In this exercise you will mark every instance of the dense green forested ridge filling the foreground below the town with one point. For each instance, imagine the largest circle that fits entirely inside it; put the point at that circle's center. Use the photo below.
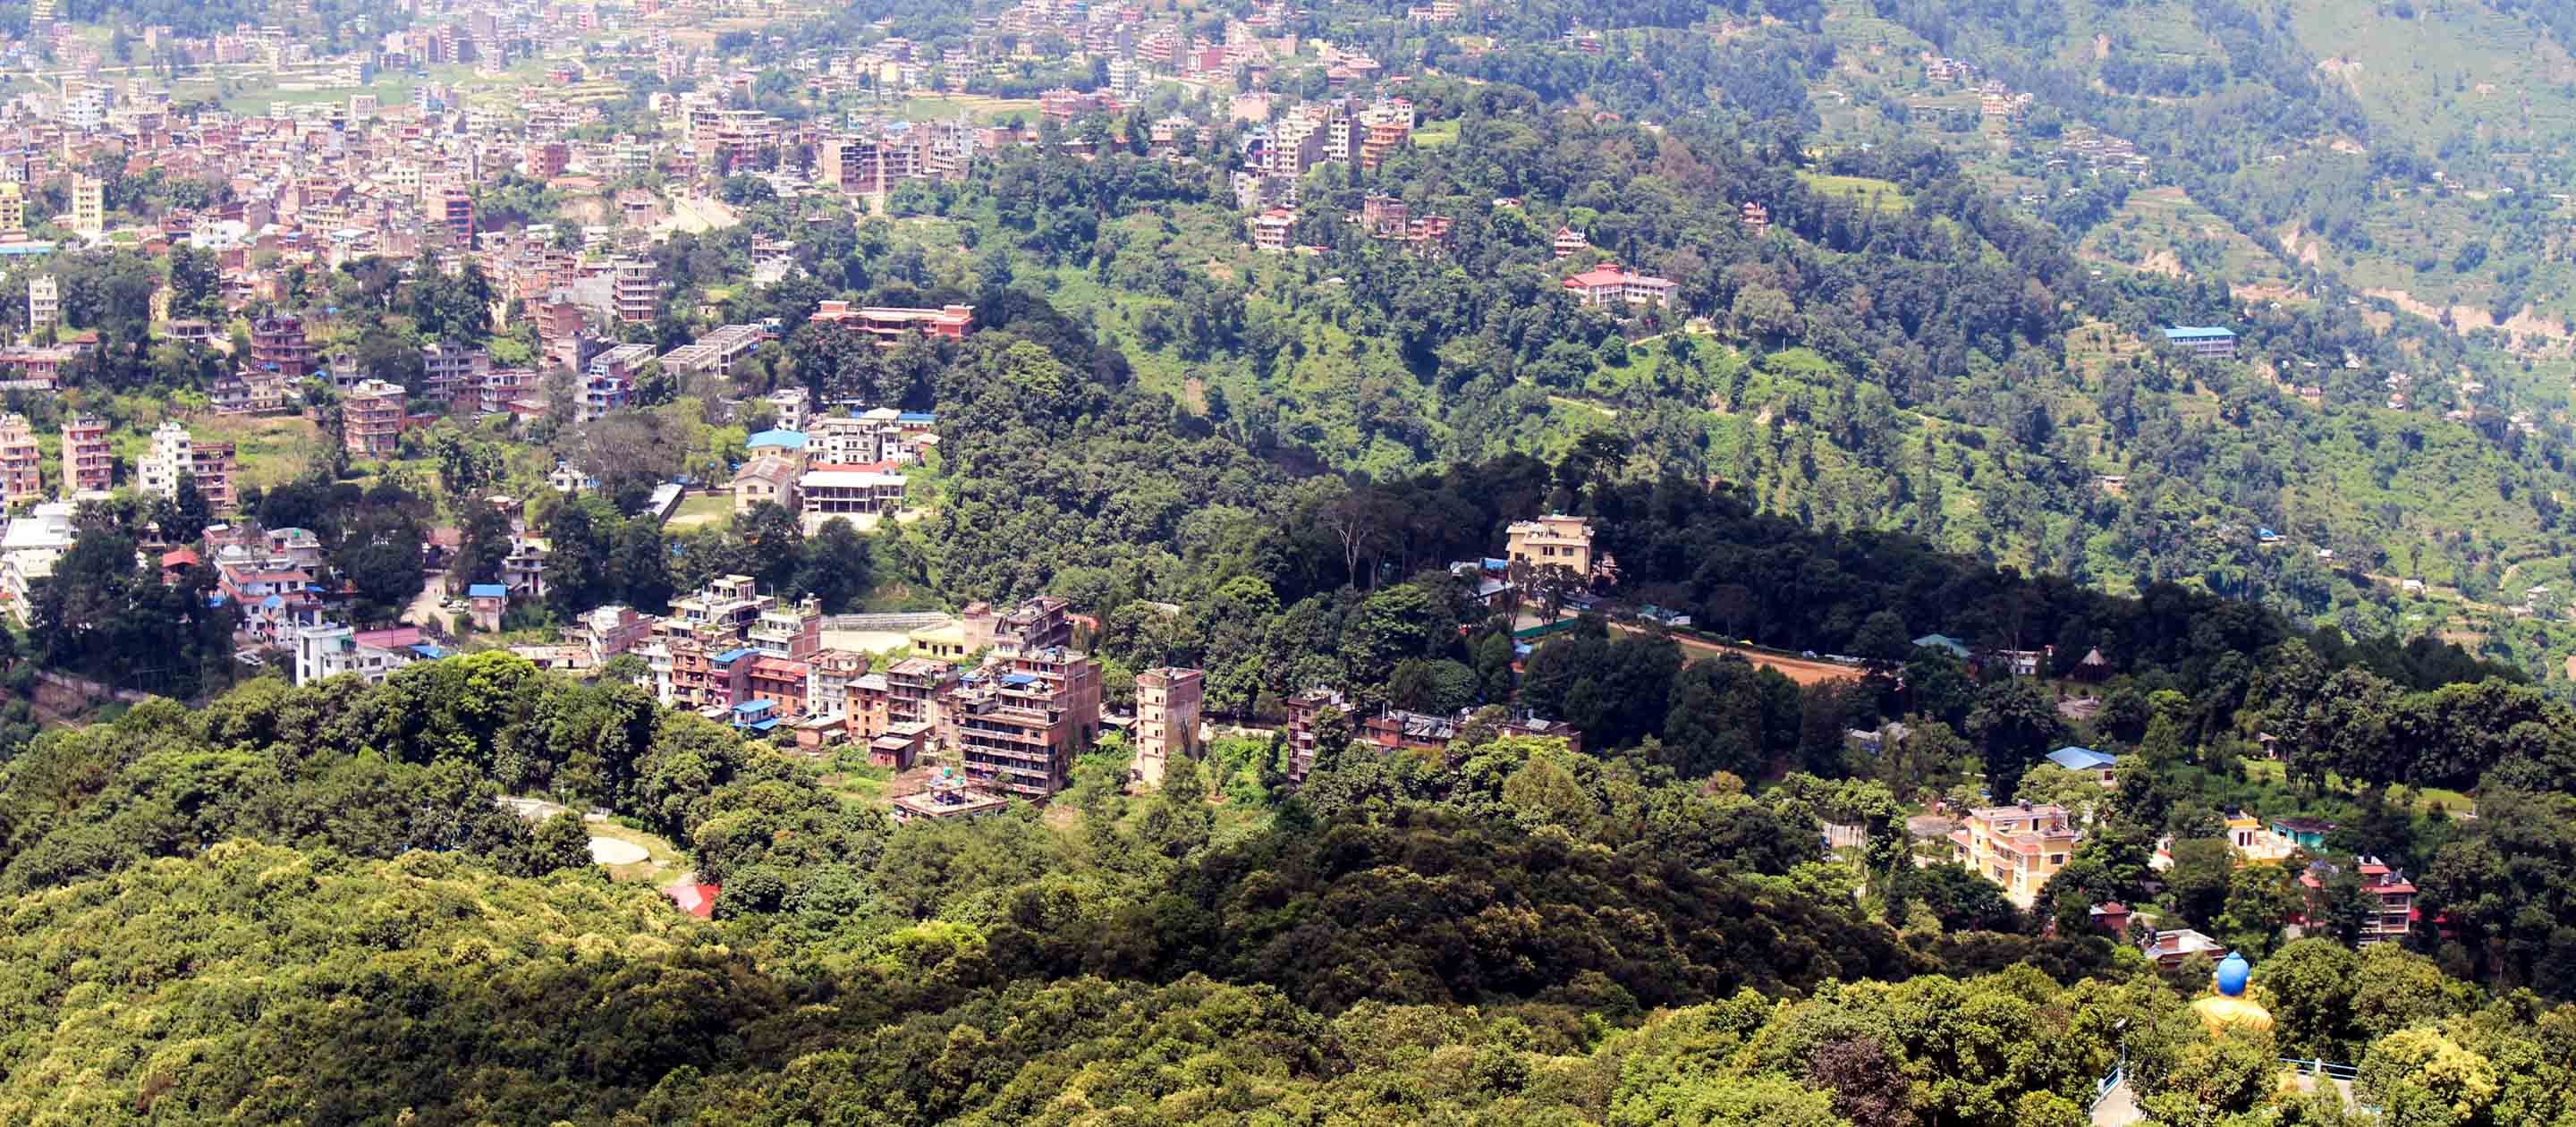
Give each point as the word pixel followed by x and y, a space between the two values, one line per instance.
pixel 1503 935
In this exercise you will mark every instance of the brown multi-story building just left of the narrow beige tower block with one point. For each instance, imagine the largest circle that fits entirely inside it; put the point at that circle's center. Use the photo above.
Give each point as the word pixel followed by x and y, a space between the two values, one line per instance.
pixel 1024 717
